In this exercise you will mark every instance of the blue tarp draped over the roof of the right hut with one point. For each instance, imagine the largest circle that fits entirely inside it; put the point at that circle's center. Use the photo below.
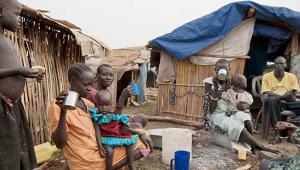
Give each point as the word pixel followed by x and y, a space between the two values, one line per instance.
pixel 205 31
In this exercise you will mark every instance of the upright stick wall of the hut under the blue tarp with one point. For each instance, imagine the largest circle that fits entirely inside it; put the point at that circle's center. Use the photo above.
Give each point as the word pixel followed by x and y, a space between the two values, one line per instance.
pixel 189 88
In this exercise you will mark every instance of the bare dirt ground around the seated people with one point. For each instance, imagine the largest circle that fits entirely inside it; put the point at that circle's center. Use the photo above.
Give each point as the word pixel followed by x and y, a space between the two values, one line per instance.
pixel 206 156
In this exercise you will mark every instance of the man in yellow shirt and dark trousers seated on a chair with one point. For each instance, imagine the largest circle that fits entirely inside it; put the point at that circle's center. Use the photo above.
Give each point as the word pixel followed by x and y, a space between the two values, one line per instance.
pixel 281 90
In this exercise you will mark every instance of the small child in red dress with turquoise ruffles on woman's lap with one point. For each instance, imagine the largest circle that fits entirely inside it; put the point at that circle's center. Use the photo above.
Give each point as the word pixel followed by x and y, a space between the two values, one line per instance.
pixel 112 129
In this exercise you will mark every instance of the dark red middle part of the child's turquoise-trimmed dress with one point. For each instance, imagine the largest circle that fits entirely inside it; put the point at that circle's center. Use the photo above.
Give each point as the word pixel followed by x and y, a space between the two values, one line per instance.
pixel 114 129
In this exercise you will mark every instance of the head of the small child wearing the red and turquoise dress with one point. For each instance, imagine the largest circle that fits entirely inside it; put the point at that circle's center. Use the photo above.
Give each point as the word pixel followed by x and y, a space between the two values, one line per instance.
pixel 103 101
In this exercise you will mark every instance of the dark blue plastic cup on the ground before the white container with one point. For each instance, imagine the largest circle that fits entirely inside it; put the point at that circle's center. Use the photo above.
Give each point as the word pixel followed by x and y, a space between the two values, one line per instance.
pixel 182 160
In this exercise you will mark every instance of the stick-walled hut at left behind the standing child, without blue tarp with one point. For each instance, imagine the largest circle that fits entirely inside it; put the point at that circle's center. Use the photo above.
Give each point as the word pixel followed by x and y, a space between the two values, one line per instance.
pixel 54 44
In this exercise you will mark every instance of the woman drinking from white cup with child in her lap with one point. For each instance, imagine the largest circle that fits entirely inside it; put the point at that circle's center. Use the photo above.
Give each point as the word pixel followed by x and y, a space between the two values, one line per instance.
pixel 226 106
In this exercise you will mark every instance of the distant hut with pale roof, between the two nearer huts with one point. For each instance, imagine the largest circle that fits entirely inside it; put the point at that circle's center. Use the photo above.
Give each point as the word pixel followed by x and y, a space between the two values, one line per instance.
pixel 129 65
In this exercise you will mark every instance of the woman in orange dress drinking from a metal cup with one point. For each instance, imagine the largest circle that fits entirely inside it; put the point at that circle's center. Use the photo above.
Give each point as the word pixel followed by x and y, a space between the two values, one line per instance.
pixel 74 132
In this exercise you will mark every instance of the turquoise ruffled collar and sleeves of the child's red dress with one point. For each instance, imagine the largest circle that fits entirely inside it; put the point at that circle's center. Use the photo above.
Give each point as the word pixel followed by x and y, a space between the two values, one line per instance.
pixel 100 118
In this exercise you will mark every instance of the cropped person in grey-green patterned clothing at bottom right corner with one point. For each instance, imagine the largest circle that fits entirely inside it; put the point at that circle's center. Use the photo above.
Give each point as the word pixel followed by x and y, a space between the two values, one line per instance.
pixel 285 163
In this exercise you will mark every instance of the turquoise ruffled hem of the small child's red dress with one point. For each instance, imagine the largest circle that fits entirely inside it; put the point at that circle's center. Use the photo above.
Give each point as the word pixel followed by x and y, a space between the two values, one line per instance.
pixel 111 141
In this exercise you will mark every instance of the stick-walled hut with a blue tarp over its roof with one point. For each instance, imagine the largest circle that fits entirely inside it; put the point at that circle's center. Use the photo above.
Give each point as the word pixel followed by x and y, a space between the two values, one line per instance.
pixel 245 33
